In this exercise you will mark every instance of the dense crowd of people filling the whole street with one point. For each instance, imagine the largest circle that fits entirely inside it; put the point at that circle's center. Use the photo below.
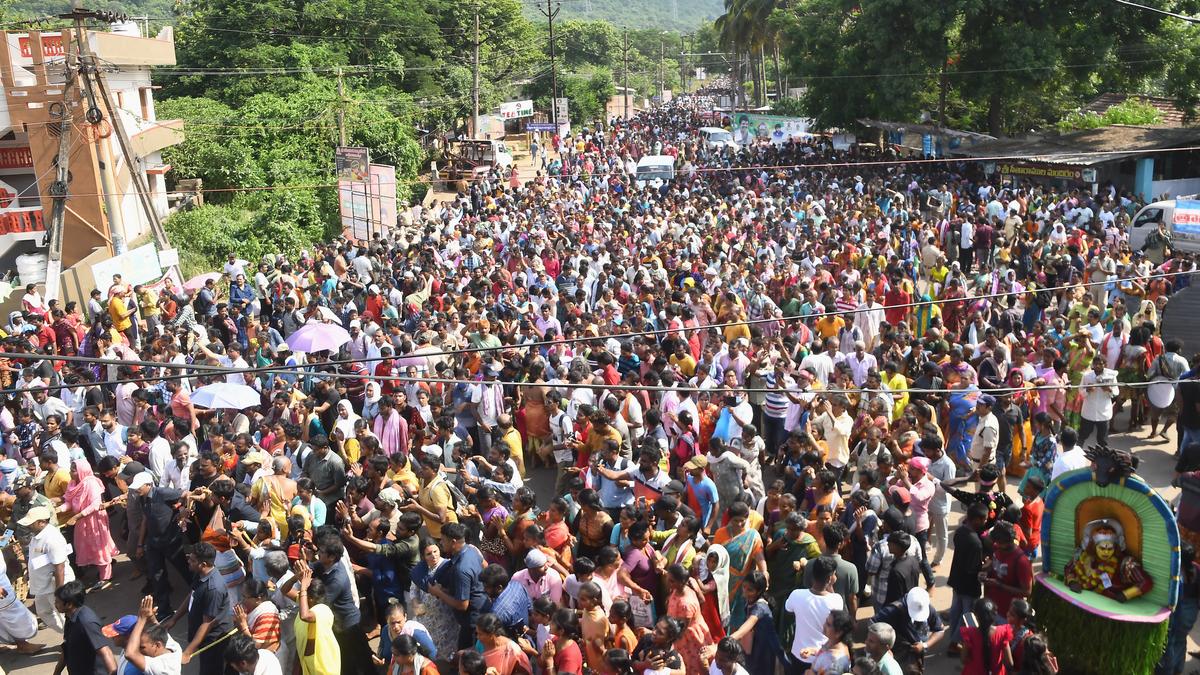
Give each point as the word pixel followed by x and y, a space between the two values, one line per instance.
pixel 761 390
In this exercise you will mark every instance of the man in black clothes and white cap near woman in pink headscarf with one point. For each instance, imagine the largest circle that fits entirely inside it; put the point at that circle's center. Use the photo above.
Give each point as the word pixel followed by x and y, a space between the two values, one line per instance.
pixel 160 540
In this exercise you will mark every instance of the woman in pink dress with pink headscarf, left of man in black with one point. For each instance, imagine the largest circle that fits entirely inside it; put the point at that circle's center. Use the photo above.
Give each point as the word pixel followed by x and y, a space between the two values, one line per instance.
pixel 93 541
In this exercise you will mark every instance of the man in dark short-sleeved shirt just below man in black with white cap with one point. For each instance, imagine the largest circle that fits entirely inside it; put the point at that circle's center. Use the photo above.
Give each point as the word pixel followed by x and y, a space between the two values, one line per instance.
pixel 209 616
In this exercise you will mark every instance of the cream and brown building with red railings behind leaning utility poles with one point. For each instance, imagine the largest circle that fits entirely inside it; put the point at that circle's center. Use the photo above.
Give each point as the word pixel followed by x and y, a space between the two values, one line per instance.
pixel 32 73
